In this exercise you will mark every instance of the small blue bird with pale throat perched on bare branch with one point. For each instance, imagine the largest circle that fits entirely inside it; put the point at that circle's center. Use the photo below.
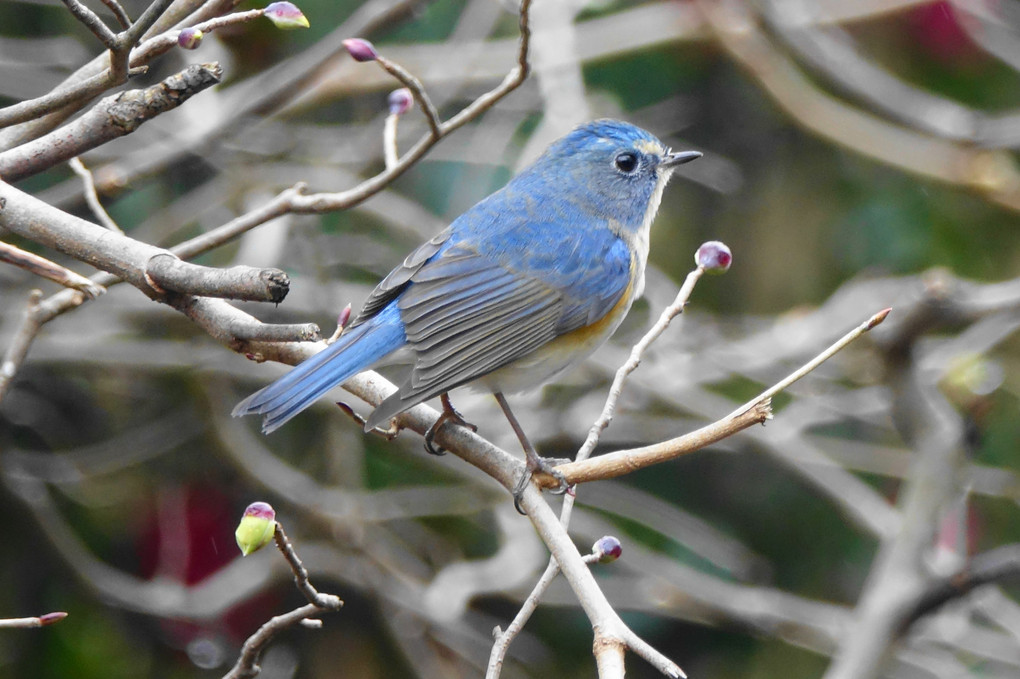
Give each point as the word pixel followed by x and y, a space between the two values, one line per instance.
pixel 524 286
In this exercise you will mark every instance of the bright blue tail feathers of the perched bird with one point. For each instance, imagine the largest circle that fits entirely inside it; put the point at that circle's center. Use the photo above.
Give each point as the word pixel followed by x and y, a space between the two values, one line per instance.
pixel 352 353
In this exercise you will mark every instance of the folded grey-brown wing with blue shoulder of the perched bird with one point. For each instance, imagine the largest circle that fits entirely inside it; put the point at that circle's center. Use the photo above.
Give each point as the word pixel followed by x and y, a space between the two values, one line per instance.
pixel 480 304
